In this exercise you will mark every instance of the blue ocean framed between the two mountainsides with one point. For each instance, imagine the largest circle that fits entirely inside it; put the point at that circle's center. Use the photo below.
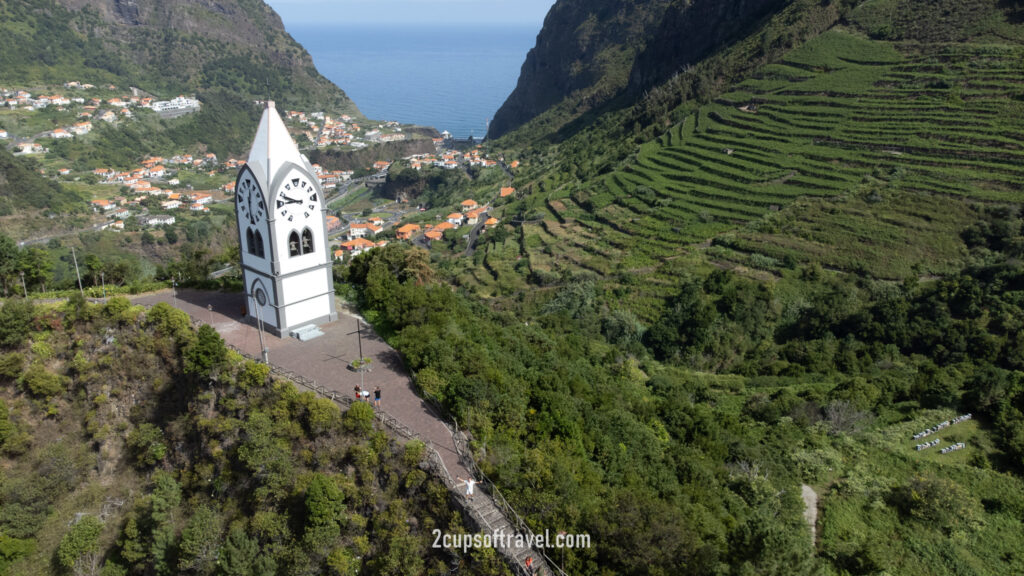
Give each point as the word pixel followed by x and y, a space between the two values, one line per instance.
pixel 451 78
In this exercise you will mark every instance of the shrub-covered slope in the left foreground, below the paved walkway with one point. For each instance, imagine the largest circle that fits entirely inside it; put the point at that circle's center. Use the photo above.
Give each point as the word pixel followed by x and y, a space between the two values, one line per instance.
pixel 264 479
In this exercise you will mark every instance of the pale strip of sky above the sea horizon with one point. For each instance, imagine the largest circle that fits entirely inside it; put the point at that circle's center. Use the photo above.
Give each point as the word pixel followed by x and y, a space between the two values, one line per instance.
pixel 518 13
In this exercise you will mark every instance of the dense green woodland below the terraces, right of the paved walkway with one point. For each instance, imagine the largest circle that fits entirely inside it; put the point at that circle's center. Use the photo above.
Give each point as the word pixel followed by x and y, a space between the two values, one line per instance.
pixel 739 394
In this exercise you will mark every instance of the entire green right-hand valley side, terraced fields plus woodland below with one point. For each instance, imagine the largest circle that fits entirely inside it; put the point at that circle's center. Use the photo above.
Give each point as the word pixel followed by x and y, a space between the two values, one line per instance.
pixel 772 271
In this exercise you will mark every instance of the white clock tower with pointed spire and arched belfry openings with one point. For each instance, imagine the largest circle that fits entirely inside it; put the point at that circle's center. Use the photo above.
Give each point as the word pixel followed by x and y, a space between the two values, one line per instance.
pixel 286 265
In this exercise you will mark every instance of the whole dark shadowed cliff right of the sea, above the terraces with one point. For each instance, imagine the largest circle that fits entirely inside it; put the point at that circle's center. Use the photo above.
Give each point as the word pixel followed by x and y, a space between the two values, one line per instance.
pixel 589 54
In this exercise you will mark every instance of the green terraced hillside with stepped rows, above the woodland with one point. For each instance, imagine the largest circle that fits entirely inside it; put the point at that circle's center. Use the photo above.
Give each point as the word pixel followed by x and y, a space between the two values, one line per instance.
pixel 863 155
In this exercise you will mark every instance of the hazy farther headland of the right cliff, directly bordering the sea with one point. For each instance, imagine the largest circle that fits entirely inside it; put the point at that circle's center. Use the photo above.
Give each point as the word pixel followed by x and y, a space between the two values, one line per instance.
pixel 585 51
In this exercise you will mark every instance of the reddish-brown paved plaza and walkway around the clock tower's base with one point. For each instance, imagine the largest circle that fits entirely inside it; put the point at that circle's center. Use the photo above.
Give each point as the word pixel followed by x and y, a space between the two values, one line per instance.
pixel 325 360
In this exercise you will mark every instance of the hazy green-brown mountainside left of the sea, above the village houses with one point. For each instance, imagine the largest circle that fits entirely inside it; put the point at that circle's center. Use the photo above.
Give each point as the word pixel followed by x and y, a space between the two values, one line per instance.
pixel 162 47
